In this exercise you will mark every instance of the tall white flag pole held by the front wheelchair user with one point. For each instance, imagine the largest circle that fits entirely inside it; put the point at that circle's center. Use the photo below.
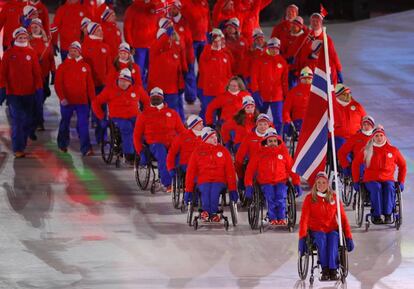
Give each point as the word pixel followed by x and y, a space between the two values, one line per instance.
pixel 331 122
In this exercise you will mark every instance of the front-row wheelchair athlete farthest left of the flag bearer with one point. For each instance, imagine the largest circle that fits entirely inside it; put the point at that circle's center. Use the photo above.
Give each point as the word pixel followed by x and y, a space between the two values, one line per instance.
pixel 211 167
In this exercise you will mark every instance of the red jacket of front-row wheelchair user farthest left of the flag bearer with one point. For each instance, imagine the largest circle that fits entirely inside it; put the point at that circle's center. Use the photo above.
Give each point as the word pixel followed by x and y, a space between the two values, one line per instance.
pixel 210 164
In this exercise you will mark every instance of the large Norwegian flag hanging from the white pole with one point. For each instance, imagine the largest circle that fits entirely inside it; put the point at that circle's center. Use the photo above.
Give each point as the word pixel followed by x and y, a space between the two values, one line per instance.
pixel 310 157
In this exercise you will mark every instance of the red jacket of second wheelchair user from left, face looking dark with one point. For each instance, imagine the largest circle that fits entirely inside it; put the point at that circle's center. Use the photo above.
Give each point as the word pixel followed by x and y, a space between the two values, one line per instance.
pixel 157 126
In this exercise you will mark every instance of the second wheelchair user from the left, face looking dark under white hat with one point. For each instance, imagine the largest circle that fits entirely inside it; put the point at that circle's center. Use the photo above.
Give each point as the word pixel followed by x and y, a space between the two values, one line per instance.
pixel 156 127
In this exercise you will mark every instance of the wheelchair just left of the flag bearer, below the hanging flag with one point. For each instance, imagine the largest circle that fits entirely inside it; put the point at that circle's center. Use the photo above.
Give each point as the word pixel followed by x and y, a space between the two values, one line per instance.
pixel 258 204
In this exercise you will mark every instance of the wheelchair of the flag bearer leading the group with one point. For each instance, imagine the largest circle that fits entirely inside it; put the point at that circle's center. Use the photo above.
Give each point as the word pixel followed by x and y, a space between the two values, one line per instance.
pixel 312 254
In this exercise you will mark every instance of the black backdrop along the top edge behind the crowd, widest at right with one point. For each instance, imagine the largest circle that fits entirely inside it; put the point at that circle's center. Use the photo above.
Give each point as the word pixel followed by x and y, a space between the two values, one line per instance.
pixel 337 9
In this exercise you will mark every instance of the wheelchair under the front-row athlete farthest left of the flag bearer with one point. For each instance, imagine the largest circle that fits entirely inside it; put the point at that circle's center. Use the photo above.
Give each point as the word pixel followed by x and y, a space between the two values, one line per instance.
pixel 196 220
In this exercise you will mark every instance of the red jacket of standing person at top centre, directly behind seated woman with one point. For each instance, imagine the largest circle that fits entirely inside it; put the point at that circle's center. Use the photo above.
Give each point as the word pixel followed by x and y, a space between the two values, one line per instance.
pixel 214 71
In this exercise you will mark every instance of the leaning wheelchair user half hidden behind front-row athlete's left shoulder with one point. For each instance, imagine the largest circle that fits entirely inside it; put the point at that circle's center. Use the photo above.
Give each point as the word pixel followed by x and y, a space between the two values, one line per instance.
pixel 179 155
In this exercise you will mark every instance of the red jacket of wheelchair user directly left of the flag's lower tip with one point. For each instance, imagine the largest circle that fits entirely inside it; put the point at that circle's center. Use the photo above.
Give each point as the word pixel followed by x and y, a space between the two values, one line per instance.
pixel 270 165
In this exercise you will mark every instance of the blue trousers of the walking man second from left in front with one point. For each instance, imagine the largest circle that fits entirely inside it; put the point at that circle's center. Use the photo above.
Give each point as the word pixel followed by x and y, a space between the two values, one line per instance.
pixel 82 127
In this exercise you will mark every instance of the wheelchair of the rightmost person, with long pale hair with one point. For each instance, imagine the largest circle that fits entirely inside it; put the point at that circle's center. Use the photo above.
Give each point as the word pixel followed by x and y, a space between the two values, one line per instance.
pixel 363 200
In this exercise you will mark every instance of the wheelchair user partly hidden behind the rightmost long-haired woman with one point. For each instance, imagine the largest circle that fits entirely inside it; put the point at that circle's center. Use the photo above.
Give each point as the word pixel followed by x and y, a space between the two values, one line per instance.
pixel 354 145
